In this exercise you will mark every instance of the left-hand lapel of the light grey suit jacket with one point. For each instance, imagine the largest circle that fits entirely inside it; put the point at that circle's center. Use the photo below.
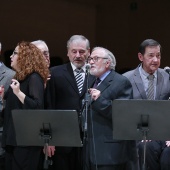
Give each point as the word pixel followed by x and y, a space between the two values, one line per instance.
pixel 139 84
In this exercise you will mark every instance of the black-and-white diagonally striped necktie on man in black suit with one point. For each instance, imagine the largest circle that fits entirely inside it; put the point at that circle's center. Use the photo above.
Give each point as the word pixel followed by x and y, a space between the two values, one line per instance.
pixel 79 79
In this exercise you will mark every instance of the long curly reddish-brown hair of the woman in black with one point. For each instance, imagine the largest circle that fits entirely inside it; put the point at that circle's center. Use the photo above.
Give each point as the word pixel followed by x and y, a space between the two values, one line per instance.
pixel 30 59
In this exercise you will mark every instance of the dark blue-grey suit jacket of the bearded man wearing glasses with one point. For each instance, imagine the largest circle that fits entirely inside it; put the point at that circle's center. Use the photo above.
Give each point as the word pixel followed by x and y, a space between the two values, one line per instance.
pixel 107 150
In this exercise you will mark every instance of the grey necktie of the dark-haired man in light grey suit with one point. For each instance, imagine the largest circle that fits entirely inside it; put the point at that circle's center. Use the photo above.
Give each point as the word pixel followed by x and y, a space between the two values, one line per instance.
pixel 150 91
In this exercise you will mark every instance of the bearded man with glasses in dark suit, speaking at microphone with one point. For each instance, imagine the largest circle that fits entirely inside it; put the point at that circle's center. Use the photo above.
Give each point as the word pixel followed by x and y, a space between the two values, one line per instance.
pixel 103 152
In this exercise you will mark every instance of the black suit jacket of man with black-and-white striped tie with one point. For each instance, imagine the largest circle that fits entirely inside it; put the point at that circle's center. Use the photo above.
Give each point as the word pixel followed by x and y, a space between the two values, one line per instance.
pixel 62 91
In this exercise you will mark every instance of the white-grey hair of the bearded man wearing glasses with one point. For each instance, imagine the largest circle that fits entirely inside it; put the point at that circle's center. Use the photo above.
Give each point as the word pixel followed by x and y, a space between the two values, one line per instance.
pixel 108 55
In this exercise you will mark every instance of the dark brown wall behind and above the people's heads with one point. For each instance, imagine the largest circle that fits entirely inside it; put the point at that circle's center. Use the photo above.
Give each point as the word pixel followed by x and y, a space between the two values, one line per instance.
pixel 119 25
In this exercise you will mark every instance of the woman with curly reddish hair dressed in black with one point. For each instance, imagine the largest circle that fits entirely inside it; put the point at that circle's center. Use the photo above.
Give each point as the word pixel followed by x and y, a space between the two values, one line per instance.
pixel 26 92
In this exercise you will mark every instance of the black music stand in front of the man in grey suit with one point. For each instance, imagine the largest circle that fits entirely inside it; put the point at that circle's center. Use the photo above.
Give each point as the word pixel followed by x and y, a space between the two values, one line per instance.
pixel 141 120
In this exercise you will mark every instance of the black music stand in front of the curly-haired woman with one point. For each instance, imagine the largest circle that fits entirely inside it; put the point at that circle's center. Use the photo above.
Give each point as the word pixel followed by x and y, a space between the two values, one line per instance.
pixel 47 127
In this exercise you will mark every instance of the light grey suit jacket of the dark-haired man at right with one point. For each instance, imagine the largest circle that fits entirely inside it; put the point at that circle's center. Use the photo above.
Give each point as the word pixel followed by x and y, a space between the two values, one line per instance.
pixel 162 87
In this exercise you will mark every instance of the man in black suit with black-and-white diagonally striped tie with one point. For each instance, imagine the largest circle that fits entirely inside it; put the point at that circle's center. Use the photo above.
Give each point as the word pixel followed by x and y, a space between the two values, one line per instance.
pixel 64 93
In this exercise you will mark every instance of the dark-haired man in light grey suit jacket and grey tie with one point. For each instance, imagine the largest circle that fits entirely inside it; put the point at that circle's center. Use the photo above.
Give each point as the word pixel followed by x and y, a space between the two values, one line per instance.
pixel 150 56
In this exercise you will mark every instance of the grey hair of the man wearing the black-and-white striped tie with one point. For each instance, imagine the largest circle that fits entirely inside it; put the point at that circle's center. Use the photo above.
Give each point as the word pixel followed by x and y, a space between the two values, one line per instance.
pixel 78 38
